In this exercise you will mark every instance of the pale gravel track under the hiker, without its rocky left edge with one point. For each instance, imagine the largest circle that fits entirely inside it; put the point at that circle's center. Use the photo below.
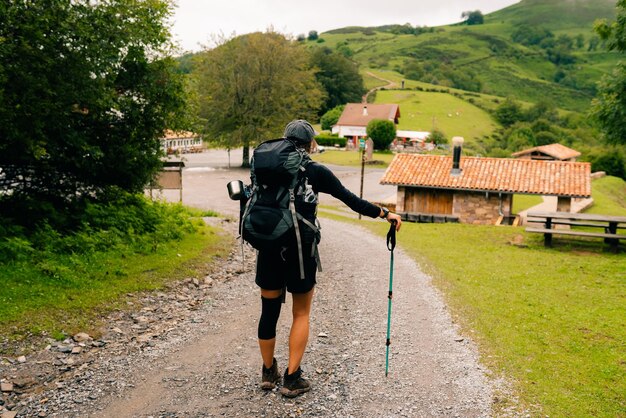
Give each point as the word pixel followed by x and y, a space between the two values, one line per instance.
pixel 433 372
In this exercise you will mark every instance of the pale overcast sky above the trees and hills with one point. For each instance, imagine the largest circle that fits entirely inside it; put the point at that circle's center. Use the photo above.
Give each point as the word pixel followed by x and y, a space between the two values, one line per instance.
pixel 197 21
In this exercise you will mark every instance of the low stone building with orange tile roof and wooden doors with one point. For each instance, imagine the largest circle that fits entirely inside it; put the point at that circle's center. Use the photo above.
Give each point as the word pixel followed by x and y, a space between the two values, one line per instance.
pixel 479 190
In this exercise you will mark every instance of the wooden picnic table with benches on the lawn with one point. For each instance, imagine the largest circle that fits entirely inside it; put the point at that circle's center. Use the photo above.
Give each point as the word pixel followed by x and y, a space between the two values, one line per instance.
pixel 609 224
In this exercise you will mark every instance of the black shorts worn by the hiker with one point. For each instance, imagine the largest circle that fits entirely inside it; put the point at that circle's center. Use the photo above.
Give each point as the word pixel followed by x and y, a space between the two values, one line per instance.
pixel 275 270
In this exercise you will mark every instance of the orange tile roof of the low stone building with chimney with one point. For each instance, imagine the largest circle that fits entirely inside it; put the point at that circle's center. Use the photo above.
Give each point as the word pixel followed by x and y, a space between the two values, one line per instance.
pixel 506 175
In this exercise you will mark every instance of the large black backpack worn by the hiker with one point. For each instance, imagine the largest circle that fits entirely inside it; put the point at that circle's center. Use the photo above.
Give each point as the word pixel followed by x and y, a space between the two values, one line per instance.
pixel 281 208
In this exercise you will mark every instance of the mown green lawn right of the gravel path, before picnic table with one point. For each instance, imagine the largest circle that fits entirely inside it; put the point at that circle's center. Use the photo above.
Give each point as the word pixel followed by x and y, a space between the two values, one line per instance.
pixel 549 320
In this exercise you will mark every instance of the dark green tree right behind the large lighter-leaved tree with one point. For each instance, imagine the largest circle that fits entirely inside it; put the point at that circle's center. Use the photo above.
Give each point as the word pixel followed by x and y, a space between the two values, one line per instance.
pixel 338 76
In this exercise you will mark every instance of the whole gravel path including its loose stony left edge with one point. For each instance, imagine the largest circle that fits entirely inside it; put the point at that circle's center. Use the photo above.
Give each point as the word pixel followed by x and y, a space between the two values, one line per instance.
pixel 191 351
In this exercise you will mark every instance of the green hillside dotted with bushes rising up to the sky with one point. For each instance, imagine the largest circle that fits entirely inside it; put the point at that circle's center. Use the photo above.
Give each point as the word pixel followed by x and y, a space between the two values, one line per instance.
pixel 498 57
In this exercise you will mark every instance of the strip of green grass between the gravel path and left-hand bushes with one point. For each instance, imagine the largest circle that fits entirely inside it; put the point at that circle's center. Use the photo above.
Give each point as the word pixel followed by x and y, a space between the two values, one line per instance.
pixel 77 289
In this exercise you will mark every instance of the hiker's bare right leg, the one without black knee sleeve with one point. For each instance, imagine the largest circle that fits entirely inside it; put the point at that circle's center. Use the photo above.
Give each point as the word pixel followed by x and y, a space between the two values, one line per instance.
pixel 299 335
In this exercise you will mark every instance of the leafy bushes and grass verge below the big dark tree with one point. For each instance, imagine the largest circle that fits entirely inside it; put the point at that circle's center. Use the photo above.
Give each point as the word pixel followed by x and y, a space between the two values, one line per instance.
pixel 60 283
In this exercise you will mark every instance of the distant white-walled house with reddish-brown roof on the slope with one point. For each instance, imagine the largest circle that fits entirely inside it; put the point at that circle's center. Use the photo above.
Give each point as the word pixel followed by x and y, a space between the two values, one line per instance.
pixel 352 123
